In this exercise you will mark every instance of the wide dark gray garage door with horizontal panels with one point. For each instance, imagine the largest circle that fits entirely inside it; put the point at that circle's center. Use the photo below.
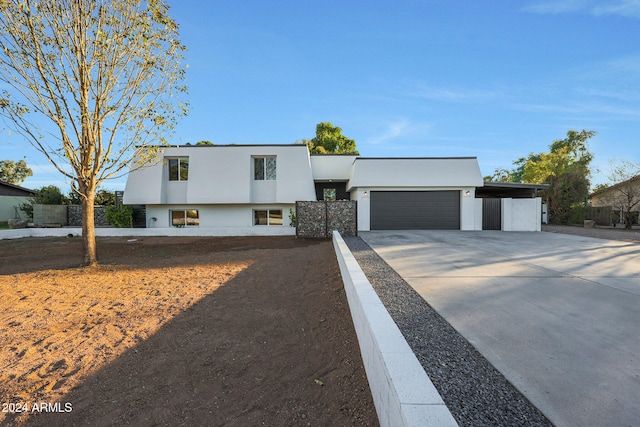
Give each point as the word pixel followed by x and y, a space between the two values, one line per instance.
pixel 415 210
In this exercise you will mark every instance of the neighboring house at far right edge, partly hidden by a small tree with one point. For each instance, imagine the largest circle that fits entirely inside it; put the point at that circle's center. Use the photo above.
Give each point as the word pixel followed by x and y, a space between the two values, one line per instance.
pixel 622 198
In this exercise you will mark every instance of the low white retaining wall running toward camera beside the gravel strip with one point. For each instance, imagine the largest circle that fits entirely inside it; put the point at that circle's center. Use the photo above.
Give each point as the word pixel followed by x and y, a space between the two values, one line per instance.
pixel 402 392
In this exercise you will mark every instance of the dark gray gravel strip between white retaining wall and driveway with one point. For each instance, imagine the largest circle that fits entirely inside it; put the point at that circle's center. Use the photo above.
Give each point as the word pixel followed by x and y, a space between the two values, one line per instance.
pixel 473 390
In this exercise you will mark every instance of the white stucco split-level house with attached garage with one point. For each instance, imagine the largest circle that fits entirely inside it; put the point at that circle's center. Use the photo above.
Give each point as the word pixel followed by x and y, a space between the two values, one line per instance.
pixel 251 189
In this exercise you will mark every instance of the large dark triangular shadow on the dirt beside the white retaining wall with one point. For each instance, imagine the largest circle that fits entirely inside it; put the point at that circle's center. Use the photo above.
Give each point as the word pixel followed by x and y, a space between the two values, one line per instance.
pixel 275 345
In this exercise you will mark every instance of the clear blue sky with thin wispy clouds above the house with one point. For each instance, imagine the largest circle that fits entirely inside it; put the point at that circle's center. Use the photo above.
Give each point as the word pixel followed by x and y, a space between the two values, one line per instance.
pixel 492 79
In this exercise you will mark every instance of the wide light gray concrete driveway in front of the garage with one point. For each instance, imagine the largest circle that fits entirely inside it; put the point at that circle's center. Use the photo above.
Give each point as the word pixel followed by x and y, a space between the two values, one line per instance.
pixel 558 315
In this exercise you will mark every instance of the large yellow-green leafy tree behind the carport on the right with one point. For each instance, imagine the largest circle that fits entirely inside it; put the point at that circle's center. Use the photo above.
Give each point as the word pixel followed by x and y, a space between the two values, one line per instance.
pixel 565 168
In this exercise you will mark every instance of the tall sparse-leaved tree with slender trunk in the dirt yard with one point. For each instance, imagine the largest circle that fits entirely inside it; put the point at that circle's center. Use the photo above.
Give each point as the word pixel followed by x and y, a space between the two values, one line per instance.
pixel 87 81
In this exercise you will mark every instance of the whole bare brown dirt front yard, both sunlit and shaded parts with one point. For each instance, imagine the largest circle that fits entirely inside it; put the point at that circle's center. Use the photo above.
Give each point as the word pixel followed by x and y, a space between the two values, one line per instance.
pixel 178 331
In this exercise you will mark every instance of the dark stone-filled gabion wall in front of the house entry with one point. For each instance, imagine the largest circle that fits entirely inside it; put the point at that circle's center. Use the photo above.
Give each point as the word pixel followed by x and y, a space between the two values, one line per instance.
pixel 319 219
